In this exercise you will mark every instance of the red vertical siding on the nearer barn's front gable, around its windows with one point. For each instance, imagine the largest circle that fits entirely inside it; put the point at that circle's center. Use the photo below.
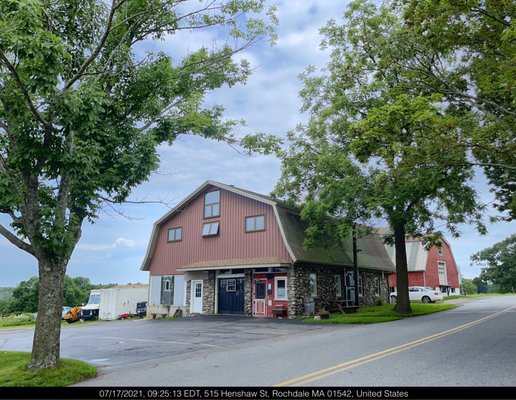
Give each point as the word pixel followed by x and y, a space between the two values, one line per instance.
pixel 232 243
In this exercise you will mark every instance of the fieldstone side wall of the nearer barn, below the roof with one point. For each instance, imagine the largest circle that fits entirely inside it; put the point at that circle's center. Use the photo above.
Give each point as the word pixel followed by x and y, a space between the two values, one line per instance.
pixel 299 287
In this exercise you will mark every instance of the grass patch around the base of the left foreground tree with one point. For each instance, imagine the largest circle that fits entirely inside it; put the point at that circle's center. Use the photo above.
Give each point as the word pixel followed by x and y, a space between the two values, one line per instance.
pixel 13 371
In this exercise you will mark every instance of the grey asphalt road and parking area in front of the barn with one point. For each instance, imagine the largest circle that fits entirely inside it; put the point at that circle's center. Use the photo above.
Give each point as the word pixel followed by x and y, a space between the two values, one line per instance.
pixel 472 345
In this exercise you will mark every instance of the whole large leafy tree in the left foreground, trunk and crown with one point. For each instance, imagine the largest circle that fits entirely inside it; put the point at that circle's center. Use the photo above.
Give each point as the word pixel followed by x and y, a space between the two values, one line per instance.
pixel 84 102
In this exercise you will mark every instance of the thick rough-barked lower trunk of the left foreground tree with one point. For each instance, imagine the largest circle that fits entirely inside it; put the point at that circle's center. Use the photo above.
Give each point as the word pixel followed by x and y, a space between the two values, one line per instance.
pixel 47 334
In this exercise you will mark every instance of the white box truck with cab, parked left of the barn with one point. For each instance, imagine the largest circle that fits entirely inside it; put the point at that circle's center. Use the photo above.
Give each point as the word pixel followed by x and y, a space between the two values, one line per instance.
pixel 112 303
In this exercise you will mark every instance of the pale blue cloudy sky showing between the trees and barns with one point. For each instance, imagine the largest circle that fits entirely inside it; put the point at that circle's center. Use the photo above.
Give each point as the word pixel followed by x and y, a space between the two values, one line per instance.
pixel 111 250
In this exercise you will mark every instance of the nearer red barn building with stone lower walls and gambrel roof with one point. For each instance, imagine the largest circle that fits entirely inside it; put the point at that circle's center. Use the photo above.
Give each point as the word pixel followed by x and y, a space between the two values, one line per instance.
pixel 225 250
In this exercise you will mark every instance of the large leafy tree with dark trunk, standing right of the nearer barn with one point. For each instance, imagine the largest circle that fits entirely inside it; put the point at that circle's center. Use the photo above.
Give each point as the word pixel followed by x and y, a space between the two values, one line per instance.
pixel 376 144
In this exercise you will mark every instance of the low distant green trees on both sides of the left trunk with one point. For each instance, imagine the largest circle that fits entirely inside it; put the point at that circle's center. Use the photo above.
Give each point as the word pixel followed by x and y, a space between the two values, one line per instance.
pixel 24 297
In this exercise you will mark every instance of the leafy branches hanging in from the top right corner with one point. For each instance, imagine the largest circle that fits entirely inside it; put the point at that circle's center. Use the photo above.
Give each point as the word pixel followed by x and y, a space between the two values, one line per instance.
pixel 466 52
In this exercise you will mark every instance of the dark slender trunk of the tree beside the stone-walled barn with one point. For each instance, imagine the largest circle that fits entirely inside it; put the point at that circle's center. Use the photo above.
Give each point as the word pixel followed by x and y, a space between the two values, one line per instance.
pixel 402 299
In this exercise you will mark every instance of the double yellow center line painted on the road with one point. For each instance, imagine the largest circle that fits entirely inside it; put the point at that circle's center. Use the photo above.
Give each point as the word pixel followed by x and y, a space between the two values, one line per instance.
pixel 323 373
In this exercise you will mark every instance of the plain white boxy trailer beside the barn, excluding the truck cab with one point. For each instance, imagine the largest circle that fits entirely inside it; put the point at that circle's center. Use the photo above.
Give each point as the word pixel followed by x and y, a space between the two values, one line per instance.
pixel 121 299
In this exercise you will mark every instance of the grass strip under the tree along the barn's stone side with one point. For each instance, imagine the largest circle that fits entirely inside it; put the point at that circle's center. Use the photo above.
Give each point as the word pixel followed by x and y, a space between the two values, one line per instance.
pixel 384 313
